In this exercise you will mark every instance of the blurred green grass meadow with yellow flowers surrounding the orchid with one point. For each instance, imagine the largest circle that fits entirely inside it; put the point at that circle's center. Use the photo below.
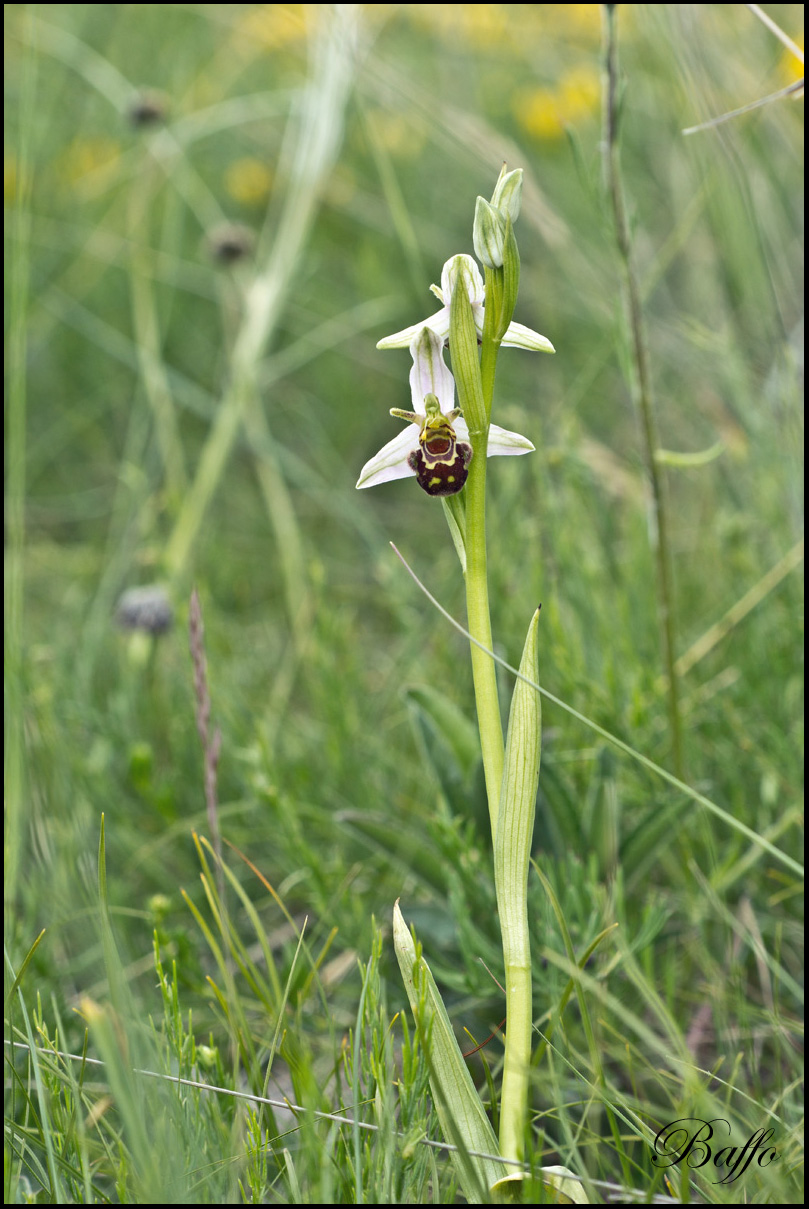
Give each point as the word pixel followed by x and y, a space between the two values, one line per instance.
pixel 213 213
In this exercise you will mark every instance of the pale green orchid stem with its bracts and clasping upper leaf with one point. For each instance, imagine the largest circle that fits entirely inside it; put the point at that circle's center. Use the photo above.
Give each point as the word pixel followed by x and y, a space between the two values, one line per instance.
pixel 511 770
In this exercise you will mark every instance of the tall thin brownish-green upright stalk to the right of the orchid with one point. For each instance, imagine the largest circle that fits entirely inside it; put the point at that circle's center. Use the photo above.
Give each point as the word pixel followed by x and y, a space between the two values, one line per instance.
pixel 643 389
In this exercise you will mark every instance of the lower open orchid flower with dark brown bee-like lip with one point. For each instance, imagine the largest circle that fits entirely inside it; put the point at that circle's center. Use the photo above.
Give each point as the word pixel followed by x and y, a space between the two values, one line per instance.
pixel 437 448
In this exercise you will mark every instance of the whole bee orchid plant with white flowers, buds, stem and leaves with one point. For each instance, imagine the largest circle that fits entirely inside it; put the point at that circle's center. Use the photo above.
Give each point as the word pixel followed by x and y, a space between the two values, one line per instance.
pixel 446 448
